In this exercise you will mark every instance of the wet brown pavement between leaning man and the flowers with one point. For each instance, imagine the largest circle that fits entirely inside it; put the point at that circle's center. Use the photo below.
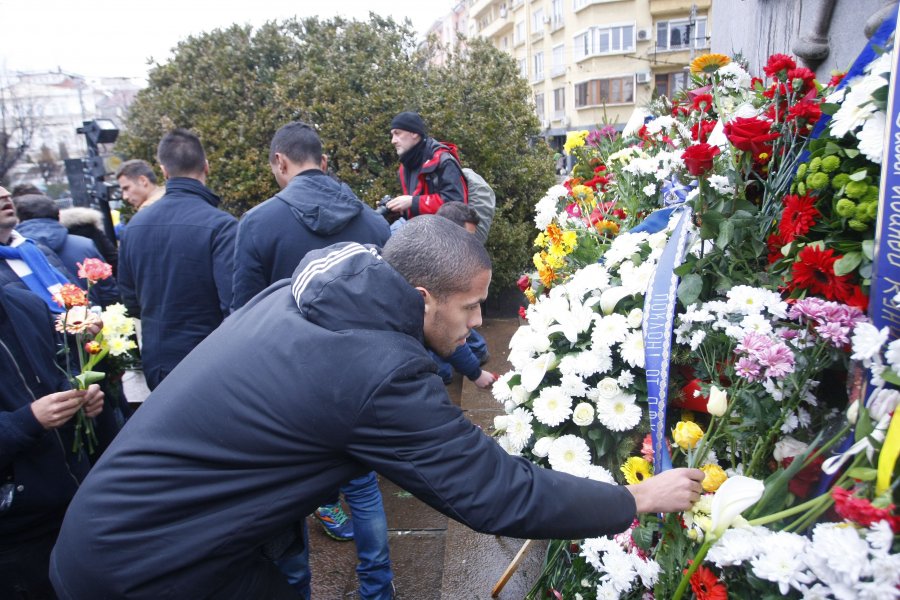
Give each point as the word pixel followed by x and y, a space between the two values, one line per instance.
pixel 434 557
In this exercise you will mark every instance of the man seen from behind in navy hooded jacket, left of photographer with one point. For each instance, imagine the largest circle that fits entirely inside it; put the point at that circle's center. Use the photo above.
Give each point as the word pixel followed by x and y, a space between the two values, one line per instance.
pixel 311 211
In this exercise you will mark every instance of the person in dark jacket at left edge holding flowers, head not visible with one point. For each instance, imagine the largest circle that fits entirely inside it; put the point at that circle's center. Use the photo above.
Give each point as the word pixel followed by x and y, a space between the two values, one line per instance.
pixel 39 473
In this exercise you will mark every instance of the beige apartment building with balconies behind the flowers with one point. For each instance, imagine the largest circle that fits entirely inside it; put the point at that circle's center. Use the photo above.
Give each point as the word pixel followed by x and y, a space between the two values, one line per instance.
pixel 591 62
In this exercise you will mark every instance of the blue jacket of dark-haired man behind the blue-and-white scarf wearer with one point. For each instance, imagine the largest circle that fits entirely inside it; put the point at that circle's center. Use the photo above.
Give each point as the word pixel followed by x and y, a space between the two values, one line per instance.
pixel 71 249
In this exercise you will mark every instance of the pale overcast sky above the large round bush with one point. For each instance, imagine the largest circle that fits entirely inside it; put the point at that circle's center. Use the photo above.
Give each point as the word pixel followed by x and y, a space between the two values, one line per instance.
pixel 115 38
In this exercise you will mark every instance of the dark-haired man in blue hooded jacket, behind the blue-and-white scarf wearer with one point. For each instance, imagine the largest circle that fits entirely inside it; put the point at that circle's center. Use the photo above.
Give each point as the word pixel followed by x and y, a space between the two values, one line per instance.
pixel 39 221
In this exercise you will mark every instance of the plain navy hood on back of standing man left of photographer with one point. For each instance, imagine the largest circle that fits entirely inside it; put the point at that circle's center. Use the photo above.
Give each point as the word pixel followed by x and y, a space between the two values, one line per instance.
pixel 321 203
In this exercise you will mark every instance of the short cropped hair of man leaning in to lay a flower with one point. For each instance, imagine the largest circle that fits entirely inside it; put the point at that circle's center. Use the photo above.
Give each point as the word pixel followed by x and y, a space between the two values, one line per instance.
pixel 434 253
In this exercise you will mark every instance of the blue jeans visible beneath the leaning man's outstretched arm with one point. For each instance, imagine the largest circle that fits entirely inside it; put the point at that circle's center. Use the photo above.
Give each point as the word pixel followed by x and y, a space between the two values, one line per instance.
pixel 370 535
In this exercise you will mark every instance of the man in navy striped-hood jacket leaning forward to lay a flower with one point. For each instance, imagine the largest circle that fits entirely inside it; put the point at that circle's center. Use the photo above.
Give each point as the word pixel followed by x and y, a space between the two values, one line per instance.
pixel 318 380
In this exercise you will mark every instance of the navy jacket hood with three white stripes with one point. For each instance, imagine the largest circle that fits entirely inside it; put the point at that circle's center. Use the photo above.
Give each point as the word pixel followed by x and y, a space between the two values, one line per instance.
pixel 350 286
